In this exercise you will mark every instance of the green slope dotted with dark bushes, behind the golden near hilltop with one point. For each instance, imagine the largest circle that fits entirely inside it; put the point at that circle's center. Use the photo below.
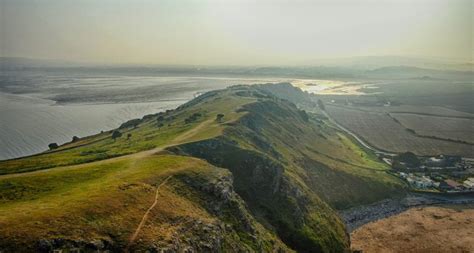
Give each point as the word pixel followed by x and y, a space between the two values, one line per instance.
pixel 148 135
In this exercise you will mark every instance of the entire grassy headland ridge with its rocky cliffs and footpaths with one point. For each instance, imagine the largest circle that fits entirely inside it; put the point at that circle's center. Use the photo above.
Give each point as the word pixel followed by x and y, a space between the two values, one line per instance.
pixel 233 170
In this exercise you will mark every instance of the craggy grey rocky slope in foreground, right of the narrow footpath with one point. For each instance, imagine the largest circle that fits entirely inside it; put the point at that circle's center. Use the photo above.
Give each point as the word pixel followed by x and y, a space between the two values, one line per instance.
pixel 234 229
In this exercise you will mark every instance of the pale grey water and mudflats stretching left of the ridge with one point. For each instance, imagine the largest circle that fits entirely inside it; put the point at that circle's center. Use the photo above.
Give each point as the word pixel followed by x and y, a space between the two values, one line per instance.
pixel 38 108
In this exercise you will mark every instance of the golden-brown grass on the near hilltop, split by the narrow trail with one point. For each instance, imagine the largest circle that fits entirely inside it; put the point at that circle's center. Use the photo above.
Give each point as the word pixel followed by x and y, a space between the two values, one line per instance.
pixel 96 201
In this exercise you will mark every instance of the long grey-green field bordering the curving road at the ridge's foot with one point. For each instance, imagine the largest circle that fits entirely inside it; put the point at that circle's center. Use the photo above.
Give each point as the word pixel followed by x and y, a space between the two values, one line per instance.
pixel 383 132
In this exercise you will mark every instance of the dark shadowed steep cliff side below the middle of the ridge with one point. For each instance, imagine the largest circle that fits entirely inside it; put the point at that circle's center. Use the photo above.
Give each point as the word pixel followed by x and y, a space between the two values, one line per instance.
pixel 280 203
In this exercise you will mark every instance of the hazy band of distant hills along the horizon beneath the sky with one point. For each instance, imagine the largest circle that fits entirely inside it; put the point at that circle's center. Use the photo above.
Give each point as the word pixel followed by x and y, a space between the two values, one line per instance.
pixel 363 67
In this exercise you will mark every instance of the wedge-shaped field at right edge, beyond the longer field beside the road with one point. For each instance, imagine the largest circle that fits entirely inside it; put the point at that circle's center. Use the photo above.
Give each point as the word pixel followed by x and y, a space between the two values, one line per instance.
pixel 460 129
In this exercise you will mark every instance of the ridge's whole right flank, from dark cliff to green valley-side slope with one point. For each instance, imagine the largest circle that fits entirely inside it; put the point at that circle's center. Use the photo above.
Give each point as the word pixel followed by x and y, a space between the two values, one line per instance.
pixel 284 165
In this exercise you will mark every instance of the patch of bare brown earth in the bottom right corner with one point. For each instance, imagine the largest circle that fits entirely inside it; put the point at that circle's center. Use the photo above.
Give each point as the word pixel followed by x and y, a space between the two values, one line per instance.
pixel 423 229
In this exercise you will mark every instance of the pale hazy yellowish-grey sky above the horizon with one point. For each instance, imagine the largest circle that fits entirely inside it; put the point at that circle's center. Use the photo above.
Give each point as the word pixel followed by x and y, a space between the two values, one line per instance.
pixel 234 32
